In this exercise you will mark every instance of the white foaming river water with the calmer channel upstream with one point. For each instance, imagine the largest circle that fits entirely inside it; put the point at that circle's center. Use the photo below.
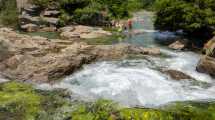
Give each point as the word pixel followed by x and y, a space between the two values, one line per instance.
pixel 139 81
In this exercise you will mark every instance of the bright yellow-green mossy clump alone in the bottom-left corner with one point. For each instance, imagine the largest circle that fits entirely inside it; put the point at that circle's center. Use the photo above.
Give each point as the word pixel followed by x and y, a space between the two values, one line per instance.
pixel 19 99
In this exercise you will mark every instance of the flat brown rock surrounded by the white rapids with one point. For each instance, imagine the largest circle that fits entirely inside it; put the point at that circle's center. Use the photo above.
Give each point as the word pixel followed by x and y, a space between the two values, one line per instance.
pixel 177 75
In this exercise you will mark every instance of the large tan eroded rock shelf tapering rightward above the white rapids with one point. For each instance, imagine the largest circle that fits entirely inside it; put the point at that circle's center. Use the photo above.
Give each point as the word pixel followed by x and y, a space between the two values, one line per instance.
pixel 40 60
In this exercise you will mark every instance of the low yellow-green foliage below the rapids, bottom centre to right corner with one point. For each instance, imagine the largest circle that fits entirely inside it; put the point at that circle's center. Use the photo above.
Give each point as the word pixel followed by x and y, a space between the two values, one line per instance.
pixel 106 110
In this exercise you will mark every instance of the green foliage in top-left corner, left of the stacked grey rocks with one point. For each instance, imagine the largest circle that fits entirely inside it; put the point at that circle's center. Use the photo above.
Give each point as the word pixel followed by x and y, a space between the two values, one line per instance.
pixel 8 13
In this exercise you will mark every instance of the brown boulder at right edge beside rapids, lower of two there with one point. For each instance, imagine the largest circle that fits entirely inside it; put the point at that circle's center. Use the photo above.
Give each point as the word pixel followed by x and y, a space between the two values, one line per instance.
pixel 206 65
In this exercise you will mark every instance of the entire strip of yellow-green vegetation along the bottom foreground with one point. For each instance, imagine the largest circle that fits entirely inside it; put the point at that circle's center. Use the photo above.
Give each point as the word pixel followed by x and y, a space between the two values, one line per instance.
pixel 23 102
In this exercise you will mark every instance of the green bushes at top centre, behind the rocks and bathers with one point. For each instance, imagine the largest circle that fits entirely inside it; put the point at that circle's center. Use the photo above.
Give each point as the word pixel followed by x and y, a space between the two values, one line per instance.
pixel 92 12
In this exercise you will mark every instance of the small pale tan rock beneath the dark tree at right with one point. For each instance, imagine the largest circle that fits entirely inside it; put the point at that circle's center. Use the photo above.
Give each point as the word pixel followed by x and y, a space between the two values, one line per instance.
pixel 178 45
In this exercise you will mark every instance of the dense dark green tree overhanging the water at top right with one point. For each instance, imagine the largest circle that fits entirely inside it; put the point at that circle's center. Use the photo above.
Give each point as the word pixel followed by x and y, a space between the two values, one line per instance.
pixel 192 16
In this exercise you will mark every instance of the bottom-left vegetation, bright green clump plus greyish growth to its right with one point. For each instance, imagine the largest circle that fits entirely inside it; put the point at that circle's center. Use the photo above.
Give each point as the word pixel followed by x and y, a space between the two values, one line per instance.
pixel 20 101
